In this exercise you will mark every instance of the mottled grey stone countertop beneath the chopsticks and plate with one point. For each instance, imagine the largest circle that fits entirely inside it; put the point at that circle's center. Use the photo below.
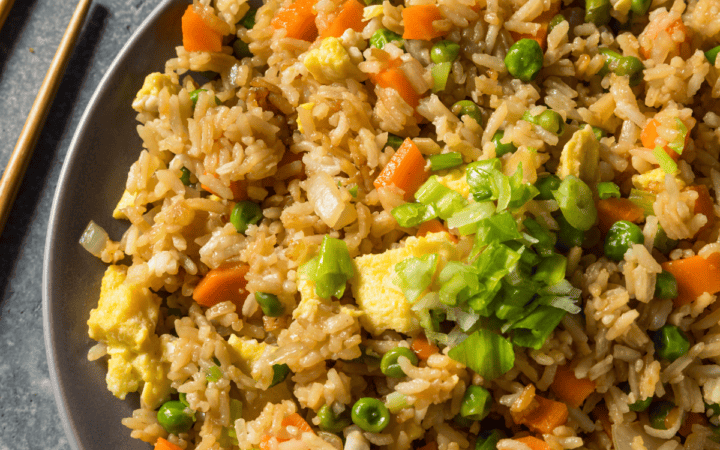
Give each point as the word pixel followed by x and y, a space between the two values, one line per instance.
pixel 28 415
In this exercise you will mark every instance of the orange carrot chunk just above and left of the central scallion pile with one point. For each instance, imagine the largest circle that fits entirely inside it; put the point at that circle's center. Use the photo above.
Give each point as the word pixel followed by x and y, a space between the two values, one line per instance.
pixel 405 170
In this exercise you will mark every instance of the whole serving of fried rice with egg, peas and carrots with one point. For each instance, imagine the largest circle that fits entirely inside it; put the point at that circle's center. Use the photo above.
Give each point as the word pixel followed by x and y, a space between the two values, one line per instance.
pixel 302 125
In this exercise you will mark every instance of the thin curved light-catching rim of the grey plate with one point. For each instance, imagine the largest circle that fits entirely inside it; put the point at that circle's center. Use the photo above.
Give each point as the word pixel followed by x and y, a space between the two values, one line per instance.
pixel 49 256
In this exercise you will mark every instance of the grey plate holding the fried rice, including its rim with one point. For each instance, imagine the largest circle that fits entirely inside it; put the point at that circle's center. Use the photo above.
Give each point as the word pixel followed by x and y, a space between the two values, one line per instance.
pixel 92 180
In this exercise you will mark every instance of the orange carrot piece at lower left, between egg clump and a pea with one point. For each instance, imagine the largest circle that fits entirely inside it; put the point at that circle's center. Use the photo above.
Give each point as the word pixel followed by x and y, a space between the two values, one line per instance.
pixel 222 284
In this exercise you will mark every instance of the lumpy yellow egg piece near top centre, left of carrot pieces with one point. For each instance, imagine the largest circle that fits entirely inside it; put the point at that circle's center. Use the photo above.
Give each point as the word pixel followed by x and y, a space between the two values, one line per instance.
pixel 330 62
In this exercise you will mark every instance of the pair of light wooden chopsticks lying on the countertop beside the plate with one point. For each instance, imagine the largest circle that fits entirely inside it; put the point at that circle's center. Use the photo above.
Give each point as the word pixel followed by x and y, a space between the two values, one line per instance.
pixel 17 165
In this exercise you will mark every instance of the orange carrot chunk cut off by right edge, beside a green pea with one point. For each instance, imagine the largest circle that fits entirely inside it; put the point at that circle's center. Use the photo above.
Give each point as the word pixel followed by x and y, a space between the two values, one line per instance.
pixel 694 276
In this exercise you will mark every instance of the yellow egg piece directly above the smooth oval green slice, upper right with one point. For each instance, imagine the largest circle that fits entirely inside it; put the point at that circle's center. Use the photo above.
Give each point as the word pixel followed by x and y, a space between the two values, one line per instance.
pixel 580 157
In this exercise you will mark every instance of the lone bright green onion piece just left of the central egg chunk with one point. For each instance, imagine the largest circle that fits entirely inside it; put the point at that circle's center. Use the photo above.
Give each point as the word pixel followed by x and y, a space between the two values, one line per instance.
pixel 330 269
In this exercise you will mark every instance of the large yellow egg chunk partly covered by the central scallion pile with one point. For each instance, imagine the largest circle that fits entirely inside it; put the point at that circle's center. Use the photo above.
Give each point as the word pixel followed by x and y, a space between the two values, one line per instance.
pixel 383 302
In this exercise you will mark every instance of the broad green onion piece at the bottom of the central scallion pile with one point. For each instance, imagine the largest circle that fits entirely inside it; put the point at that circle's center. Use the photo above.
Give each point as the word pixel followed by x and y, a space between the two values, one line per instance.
pixel 486 353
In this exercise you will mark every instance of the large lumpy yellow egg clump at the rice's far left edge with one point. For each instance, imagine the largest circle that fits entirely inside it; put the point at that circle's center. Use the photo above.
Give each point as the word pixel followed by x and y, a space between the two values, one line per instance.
pixel 125 321
